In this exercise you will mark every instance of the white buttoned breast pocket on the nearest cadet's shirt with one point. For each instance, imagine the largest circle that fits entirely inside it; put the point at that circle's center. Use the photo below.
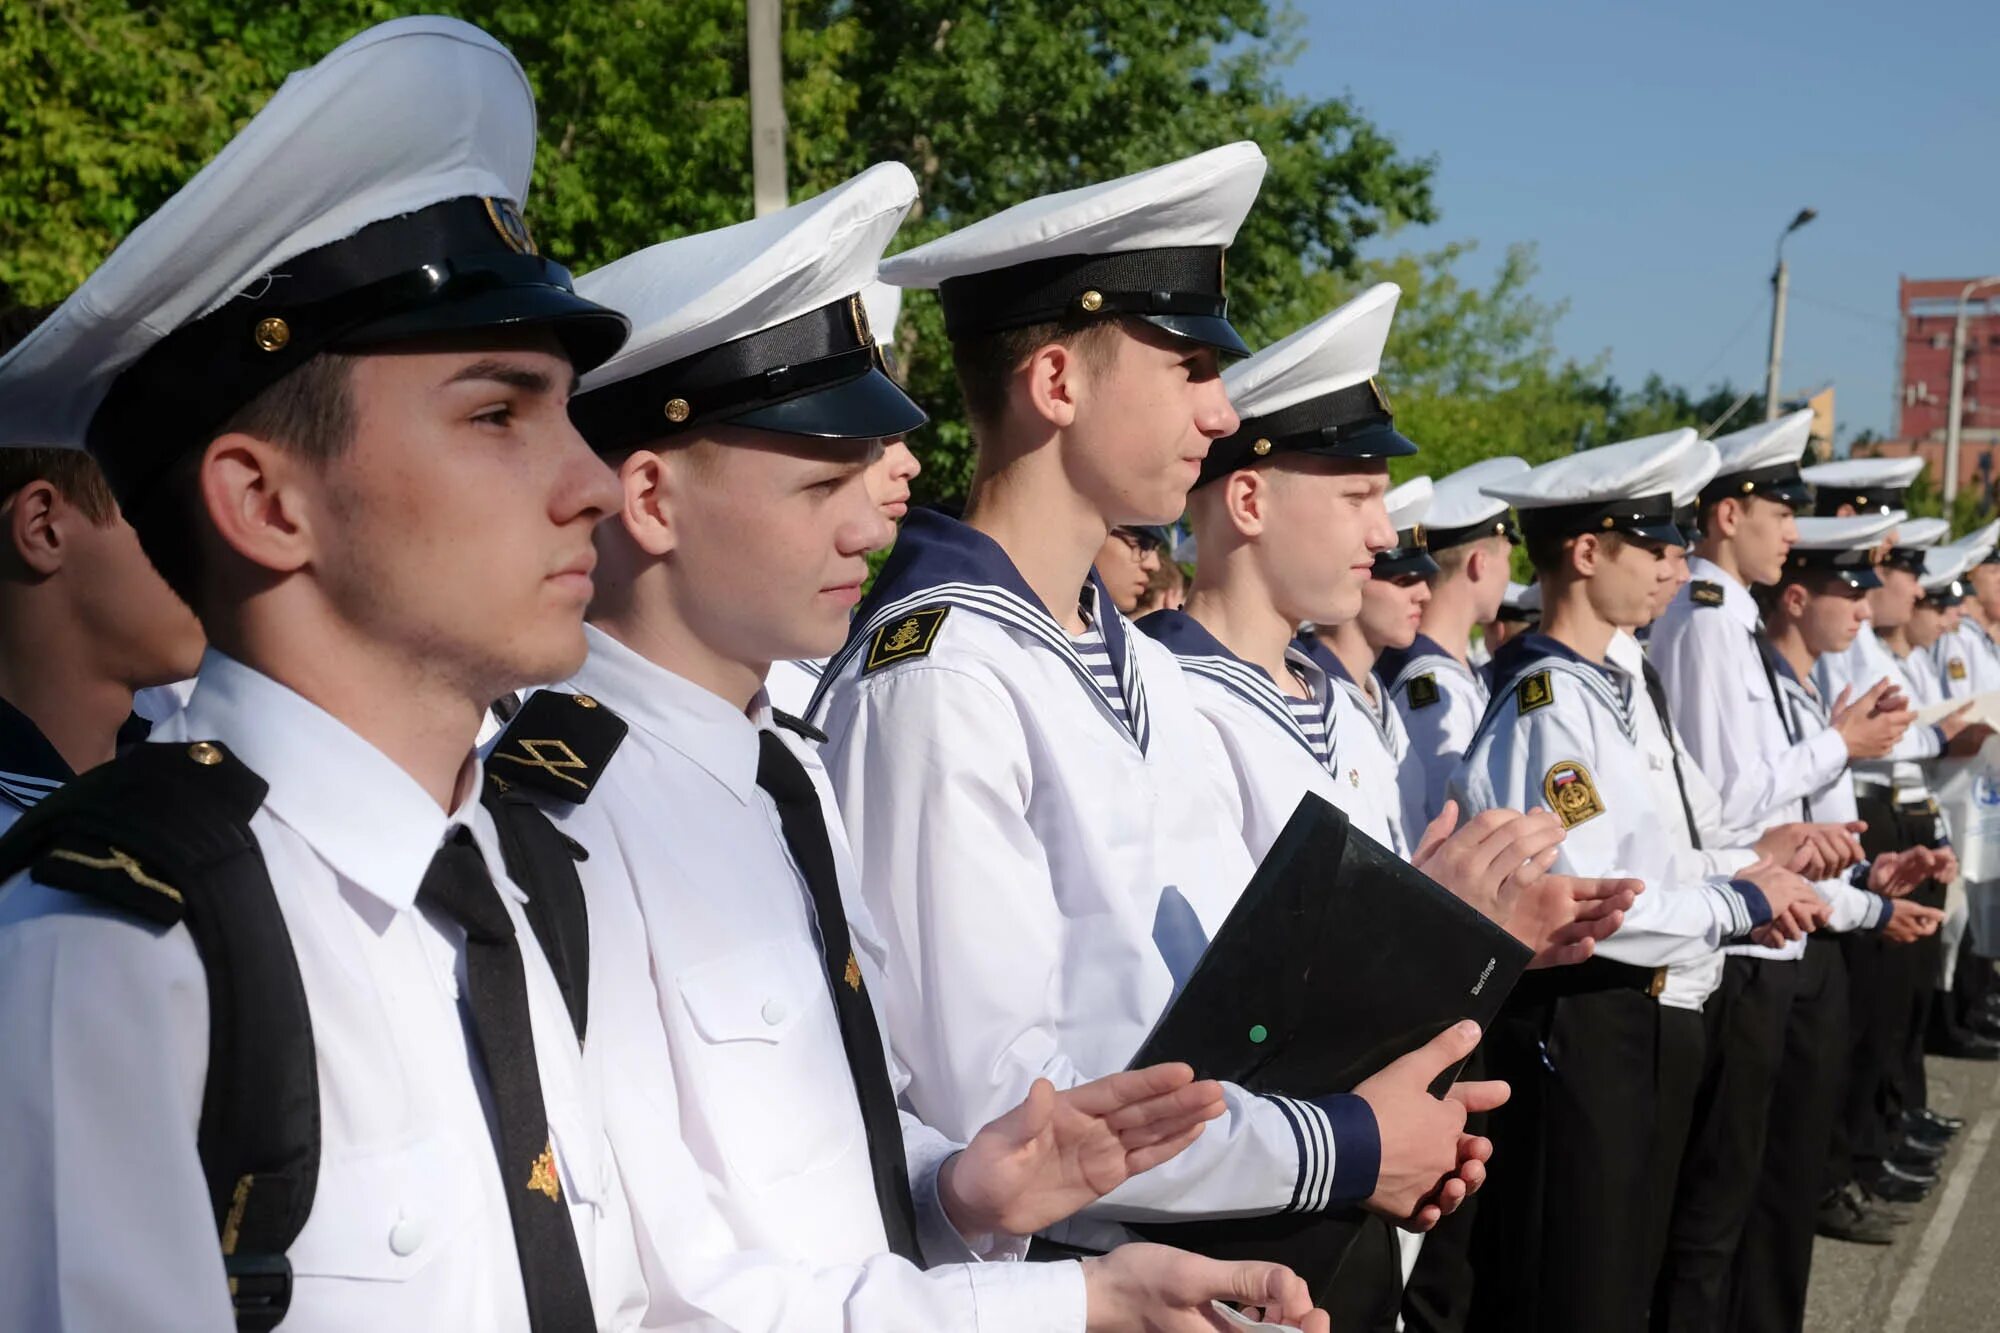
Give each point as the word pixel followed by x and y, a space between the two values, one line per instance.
pixel 387 1216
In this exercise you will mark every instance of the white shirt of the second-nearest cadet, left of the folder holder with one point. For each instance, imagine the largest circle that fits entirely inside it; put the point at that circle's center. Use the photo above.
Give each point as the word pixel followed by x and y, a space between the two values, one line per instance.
pixel 735 1114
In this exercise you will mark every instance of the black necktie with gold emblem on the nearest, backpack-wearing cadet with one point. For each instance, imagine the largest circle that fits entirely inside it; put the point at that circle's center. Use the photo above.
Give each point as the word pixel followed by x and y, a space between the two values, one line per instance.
pixel 497 992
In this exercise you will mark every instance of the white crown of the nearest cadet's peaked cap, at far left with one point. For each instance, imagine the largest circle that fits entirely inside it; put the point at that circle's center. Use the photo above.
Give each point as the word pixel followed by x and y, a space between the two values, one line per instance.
pixel 403 117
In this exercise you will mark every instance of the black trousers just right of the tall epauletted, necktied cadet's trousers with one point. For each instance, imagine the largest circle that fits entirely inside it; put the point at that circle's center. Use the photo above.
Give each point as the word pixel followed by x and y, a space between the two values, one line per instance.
pixel 1775 1260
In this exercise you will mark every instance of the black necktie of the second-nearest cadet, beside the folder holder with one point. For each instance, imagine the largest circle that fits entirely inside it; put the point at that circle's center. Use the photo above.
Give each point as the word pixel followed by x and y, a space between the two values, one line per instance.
pixel 805 832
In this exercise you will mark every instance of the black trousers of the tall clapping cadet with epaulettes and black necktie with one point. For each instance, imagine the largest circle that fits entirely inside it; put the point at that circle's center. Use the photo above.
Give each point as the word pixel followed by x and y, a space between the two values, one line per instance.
pixel 1745 1024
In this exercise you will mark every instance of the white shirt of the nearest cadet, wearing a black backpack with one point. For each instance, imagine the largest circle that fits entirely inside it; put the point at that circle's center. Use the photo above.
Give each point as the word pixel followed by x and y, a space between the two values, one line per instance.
pixel 105 1044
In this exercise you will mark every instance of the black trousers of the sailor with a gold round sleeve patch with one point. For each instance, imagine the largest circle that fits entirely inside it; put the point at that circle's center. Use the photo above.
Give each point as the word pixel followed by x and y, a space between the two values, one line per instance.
pixel 1567 1220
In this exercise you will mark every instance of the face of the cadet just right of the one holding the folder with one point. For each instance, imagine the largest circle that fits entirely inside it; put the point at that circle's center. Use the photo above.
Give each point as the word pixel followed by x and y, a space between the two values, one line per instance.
pixel 1323 523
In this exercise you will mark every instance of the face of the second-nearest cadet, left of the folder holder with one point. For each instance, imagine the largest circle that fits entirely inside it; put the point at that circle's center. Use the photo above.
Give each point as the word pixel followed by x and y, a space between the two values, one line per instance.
pixel 767 539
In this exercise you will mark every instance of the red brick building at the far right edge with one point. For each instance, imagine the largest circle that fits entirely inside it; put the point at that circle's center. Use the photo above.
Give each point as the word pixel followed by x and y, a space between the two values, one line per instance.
pixel 1925 375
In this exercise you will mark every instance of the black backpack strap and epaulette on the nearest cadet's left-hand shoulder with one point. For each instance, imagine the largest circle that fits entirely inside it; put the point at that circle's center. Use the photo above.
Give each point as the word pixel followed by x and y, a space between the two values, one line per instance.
pixel 163 834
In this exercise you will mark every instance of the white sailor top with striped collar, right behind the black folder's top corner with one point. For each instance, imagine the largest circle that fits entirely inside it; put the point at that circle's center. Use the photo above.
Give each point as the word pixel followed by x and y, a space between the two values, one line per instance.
pixel 1273 760
